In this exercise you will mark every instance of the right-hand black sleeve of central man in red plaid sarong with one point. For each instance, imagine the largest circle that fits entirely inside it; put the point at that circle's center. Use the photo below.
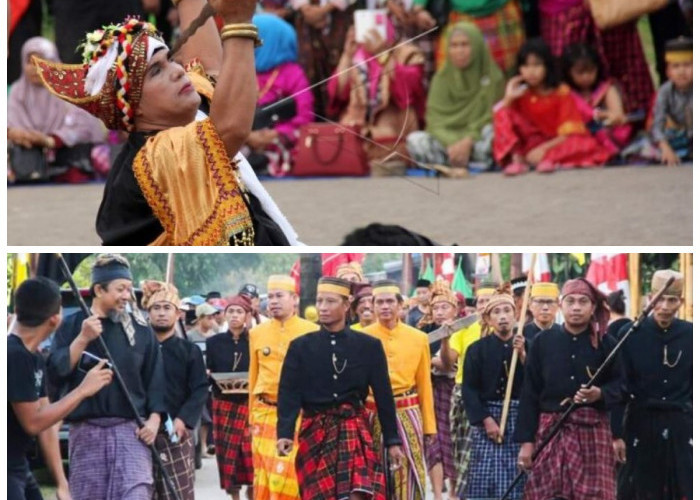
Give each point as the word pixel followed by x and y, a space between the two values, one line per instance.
pixel 383 396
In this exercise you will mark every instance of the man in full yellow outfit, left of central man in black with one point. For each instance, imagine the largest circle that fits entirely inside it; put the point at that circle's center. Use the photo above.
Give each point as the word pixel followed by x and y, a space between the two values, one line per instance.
pixel 275 478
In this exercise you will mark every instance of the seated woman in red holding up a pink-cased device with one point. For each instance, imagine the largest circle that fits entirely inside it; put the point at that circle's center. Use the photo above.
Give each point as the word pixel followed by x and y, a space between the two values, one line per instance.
pixel 381 94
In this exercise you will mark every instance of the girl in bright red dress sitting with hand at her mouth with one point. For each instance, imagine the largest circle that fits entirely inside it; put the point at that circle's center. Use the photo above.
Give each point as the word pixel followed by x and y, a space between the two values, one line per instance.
pixel 537 123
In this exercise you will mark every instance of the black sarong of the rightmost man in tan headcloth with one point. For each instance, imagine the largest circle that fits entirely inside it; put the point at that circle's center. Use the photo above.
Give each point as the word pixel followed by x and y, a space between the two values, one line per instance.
pixel 659 456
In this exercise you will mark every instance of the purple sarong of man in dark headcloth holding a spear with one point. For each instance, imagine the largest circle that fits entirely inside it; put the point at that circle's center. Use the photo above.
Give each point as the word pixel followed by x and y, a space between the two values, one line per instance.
pixel 108 461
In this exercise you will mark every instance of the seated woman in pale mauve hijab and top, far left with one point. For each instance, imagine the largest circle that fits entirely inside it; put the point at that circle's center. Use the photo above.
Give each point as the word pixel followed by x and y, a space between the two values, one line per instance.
pixel 38 119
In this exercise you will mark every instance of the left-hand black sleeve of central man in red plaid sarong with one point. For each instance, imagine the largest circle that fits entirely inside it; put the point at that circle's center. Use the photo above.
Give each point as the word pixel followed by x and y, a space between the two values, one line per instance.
pixel 289 395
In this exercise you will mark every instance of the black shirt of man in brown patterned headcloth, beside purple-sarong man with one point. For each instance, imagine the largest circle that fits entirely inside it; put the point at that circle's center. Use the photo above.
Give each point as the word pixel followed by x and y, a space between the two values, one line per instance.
pixel 186 378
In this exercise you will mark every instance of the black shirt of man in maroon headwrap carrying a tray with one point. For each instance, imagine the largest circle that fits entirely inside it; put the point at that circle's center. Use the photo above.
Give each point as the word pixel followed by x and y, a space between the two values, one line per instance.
pixel 224 355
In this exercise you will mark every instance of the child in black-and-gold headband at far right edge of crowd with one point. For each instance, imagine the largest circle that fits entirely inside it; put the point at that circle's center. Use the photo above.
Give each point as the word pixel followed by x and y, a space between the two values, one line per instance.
pixel 672 126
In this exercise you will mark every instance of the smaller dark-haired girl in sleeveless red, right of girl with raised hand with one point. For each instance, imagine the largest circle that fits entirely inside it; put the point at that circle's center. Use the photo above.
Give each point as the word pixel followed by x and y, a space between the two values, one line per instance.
pixel 598 99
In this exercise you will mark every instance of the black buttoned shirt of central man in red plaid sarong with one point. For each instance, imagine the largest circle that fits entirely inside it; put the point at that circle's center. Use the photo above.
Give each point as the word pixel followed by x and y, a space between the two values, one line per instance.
pixel 323 370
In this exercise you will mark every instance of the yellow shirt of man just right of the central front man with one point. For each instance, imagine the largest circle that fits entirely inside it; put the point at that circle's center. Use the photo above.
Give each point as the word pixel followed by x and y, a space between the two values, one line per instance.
pixel 408 356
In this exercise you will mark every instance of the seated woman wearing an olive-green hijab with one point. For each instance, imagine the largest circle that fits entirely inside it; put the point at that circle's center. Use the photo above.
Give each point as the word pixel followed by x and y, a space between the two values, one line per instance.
pixel 461 96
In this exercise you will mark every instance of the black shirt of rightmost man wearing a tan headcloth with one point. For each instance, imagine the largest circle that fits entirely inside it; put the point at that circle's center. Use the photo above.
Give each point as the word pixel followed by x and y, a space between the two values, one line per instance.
pixel 658 366
